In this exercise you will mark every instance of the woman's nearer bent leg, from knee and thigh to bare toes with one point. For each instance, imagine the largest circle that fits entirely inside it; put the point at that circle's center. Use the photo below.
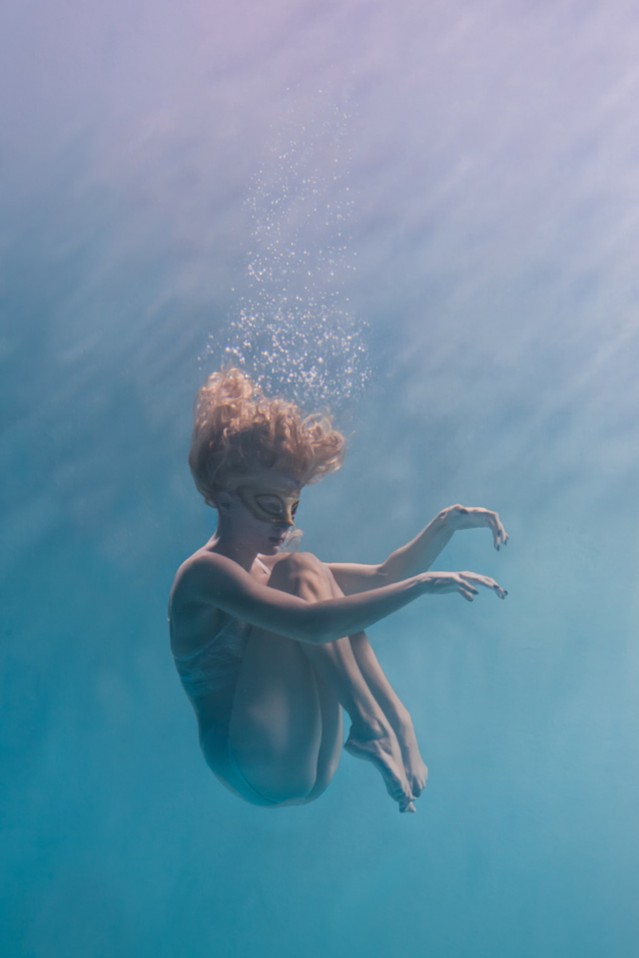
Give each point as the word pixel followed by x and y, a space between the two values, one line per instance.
pixel 285 728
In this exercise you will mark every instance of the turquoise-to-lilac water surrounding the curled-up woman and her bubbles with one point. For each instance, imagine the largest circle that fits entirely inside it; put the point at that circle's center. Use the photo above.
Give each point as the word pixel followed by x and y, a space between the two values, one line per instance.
pixel 490 155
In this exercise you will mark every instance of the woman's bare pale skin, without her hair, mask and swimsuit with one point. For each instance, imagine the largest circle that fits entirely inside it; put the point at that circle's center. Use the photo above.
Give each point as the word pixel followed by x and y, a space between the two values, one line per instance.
pixel 275 738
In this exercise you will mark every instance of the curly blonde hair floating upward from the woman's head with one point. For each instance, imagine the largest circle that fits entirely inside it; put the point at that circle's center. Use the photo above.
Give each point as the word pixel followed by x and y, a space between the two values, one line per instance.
pixel 238 431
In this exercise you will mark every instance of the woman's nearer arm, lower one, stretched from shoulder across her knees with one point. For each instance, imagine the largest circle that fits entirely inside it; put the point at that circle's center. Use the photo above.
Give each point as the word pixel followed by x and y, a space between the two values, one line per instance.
pixel 215 580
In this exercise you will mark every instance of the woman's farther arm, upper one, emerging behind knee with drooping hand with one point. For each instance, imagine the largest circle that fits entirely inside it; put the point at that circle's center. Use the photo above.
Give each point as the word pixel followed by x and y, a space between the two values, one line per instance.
pixel 419 554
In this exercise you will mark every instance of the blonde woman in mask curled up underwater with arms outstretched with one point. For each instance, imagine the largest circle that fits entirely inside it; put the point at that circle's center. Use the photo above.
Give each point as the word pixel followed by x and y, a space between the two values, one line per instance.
pixel 269 645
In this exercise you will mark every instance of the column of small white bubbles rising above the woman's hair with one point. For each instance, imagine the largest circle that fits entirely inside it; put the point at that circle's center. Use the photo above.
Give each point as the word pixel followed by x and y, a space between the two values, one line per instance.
pixel 293 332
